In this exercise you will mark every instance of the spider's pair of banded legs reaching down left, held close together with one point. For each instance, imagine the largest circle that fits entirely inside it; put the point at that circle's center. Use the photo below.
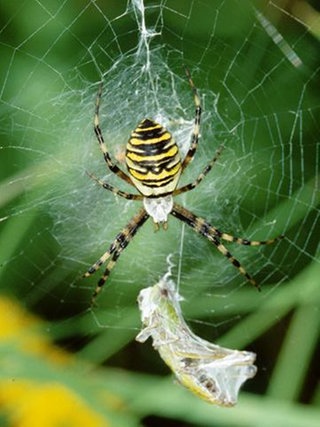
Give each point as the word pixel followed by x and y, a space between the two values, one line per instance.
pixel 117 246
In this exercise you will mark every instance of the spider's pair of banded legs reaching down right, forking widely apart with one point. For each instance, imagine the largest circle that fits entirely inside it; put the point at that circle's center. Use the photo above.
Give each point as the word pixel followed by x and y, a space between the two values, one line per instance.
pixel 214 235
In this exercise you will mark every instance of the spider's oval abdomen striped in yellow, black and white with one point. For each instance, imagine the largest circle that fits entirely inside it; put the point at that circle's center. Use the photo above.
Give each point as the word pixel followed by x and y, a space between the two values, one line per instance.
pixel 153 159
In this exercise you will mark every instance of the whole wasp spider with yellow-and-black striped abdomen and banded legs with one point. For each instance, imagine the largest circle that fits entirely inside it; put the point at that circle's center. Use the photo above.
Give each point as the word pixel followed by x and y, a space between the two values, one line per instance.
pixel 154 167
